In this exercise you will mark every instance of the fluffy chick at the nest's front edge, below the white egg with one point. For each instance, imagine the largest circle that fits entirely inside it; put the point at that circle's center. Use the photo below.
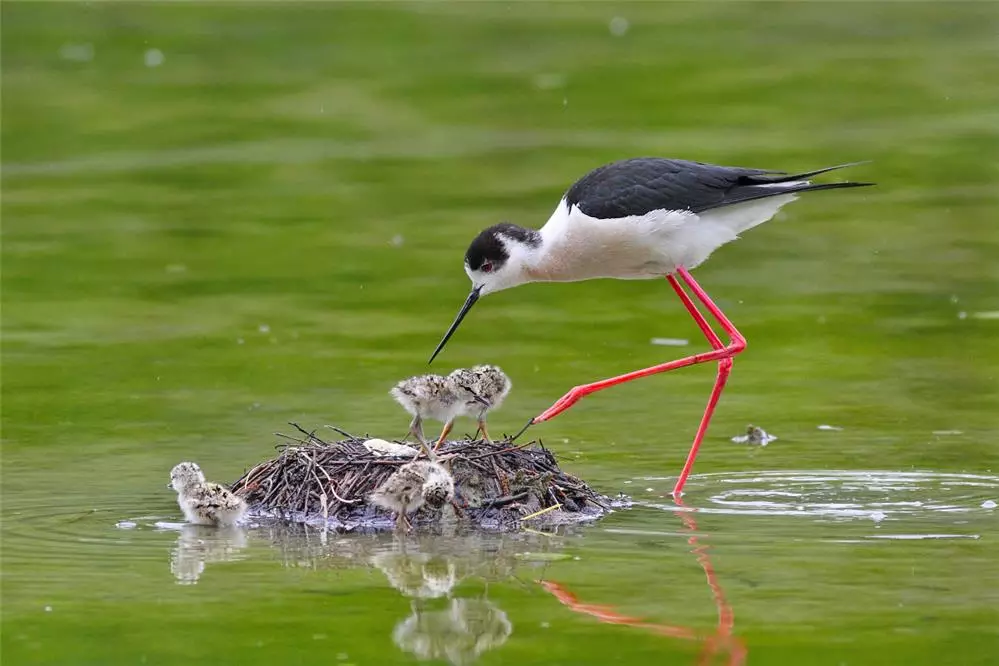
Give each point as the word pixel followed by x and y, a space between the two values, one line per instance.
pixel 413 485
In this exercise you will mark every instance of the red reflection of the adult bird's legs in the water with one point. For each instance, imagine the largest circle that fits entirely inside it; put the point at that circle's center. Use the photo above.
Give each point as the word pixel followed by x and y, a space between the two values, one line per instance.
pixel 722 639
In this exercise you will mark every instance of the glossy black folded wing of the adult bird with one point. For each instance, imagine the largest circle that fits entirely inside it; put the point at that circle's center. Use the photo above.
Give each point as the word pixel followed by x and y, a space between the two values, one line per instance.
pixel 640 185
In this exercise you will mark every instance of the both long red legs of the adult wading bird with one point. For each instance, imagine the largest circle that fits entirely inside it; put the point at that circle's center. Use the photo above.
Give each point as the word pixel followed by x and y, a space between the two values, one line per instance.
pixel 722 354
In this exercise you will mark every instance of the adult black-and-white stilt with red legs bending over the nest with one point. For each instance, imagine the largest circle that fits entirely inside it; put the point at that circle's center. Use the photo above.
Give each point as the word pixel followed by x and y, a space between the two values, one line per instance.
pixel 638 219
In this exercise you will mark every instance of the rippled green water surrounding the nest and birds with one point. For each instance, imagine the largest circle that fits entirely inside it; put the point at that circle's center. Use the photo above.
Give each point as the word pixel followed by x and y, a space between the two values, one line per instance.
pixel 218 219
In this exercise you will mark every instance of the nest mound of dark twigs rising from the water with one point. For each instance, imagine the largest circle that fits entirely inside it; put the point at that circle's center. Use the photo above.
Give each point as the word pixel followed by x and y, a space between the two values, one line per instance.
pixel 497 485
